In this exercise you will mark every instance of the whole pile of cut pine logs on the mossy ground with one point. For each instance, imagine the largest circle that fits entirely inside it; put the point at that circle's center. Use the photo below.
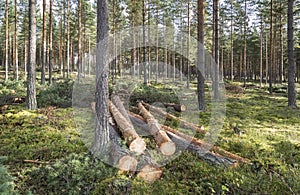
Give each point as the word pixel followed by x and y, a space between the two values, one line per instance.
pixel 167 139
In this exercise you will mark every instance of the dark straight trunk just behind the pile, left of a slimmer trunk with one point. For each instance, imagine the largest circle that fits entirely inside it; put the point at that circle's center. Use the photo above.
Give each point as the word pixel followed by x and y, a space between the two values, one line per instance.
pixel 201 56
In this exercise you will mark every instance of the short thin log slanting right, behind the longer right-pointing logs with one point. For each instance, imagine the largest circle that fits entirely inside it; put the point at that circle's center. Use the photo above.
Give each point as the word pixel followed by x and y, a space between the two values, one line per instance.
pixel 172 117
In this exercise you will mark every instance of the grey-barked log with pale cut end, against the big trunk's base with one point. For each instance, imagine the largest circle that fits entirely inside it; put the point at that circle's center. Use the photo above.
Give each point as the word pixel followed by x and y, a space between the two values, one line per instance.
pixel 120 156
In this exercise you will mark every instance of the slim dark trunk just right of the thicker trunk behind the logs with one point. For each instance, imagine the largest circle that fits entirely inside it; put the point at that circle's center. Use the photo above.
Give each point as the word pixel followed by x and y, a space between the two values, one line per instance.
pixel 216 48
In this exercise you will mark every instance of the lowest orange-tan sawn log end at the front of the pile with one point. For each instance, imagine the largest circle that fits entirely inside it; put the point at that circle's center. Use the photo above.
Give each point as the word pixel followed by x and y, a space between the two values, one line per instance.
pixel 150 173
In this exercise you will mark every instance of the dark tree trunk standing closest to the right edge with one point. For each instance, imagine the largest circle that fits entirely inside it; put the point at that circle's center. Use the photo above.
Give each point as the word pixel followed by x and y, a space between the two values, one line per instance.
pixel 292 67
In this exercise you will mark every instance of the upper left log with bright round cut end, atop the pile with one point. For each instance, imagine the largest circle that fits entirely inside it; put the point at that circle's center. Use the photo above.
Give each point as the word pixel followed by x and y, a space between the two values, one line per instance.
pixel 135 143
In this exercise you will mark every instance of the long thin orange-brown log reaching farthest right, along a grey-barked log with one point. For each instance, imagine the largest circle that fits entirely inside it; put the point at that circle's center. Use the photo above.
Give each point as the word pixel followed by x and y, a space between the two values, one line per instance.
pixel 204 144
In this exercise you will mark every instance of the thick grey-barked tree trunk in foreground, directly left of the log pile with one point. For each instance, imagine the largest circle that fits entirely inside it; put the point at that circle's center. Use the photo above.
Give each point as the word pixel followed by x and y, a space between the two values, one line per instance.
pixel 102 95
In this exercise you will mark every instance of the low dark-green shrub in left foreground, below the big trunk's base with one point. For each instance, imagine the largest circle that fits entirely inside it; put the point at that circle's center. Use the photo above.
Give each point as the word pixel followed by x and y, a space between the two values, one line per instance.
pixel 75 174
